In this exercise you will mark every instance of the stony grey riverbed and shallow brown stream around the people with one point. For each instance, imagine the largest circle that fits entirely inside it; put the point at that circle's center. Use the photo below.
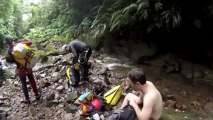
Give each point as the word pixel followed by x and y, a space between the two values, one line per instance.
pixel 184 96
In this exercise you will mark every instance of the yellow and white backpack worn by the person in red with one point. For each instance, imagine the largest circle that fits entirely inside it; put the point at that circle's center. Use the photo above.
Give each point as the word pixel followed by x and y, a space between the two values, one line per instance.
pixel 24 55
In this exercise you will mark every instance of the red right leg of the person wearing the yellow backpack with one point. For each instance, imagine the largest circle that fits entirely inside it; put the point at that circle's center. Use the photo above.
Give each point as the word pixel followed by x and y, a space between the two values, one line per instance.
pixel 33 85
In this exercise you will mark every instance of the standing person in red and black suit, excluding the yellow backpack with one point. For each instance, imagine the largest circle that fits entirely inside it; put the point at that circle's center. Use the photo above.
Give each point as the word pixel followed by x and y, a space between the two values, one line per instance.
pixel 22 71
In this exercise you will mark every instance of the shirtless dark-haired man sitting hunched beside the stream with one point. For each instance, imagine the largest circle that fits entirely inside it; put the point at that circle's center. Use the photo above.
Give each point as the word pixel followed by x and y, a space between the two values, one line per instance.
pixel 149 96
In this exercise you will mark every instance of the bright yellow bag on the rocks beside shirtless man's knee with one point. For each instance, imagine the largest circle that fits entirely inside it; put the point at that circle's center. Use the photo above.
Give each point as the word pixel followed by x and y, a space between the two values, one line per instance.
pixel 113 95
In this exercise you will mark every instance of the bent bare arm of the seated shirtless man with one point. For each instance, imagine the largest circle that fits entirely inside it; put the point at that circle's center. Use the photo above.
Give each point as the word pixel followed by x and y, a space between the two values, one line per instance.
pixel 145 113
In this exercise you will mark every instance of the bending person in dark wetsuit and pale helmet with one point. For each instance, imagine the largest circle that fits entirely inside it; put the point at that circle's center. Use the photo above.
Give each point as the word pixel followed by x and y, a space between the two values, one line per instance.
pixel 81 52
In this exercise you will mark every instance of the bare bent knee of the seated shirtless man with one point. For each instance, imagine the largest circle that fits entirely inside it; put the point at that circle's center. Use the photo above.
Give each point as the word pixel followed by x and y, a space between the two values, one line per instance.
pixel 128 97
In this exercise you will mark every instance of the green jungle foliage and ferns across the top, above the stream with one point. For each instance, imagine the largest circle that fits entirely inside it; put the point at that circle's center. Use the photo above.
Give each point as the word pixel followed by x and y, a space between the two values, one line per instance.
pixel 95 20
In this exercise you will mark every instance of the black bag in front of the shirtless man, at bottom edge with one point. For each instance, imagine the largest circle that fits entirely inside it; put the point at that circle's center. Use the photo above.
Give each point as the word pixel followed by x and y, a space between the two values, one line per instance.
pixel 127 113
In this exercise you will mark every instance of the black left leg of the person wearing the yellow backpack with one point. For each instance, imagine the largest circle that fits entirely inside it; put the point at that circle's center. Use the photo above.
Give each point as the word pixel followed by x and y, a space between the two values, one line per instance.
pixel 24 87
